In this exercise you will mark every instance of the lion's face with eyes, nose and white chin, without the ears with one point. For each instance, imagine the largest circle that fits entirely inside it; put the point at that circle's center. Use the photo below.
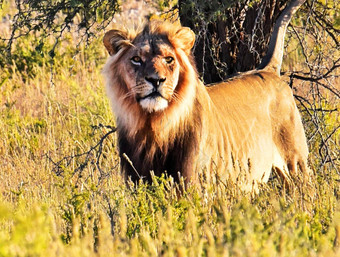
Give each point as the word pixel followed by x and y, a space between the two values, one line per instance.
pixel 153 73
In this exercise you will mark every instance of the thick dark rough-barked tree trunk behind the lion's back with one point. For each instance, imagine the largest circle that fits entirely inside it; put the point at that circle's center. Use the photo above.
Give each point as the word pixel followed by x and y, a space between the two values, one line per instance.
pixel 231 36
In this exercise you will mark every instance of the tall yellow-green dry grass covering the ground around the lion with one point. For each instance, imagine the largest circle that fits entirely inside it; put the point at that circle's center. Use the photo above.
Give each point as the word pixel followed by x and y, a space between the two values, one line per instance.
pixel 62 193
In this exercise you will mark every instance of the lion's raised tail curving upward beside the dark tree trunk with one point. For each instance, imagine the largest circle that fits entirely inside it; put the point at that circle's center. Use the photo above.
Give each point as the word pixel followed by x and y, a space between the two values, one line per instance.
pixel 273 59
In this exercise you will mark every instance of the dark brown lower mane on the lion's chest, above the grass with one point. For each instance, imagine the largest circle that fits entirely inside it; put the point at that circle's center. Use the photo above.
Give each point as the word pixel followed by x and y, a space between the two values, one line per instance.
pixel 145 155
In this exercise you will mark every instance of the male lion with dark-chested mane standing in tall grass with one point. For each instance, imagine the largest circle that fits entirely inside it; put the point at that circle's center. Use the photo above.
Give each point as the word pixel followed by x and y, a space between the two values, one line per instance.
pixel 169 121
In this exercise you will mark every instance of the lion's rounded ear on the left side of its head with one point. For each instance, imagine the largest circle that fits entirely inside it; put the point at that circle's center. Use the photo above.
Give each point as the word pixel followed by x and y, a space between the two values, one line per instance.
pixel 114 40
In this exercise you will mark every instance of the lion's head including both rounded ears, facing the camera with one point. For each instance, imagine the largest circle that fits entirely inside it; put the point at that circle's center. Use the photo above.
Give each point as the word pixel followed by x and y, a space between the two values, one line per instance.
pixel 149 63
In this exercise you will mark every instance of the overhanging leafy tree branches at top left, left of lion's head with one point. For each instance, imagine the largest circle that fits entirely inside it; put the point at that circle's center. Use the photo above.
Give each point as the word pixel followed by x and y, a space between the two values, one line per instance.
pixel 56 17
